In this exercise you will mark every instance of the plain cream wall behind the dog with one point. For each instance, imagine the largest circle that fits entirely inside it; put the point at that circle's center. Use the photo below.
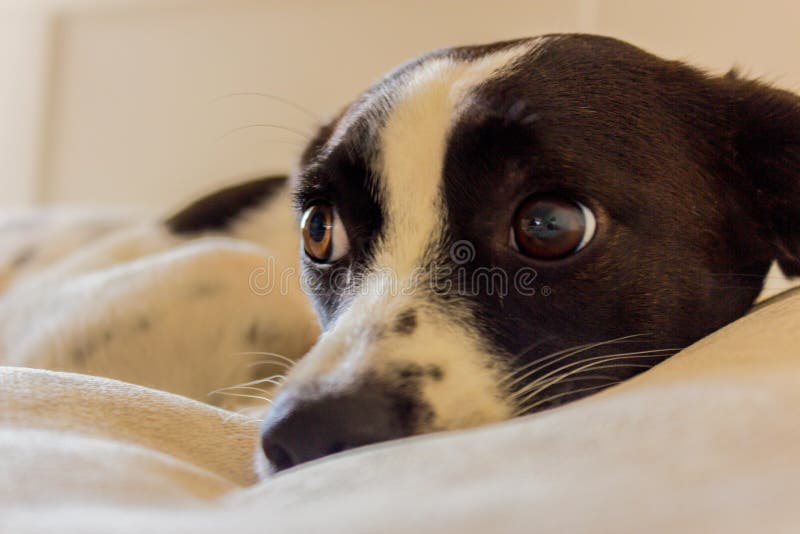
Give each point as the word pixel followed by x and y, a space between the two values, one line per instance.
pixel 146 103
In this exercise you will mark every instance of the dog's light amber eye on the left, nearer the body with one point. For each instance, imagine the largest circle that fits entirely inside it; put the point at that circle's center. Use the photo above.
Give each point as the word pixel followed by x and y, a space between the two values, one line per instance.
pixel 324 238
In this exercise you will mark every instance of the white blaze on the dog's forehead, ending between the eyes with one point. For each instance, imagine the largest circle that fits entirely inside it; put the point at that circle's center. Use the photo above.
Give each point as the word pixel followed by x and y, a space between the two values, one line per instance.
pixel 413 144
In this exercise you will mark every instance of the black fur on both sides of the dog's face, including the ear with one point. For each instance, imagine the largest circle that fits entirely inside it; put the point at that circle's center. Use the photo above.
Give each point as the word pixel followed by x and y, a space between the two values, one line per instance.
pixel 694 181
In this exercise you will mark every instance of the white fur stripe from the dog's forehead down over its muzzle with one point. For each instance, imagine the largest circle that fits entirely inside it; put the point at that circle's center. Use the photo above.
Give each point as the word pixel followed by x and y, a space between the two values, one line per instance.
pixel 423 107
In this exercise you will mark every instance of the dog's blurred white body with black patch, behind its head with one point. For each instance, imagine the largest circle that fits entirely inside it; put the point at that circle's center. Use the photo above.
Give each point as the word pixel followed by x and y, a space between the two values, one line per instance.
pixel 183 304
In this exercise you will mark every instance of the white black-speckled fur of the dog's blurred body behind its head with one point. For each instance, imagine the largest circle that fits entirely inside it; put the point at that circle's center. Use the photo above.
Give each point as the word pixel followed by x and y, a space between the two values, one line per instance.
pixel 145 306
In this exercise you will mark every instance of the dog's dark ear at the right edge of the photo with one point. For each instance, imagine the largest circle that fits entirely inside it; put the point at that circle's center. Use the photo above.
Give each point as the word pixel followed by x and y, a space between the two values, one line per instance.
pixel 766 152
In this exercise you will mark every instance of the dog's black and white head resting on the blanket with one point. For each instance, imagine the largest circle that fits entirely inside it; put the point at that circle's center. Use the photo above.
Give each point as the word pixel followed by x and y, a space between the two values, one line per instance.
pixel 492 230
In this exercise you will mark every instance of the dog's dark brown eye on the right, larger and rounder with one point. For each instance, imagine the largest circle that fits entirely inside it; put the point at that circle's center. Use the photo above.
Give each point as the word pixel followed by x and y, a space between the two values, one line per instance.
pixel 547 227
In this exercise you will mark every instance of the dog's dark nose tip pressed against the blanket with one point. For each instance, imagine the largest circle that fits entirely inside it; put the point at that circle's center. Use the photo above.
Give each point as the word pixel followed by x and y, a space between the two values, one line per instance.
pixel 297 431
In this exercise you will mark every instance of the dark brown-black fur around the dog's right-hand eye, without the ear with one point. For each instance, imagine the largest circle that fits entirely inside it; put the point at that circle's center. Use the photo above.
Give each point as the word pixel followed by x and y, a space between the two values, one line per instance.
pixel 643 142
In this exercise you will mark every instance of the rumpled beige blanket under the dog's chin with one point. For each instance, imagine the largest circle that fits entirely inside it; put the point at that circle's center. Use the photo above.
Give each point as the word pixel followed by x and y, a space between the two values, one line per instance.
pixel 707 442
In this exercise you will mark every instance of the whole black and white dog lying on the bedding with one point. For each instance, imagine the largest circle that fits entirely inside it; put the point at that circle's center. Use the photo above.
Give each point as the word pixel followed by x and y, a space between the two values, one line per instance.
pixel 486 232
